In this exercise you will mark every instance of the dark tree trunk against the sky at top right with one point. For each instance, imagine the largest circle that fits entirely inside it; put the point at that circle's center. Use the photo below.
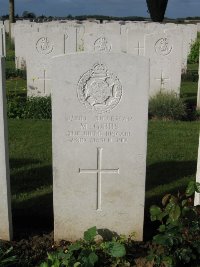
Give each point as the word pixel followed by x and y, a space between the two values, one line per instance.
pixel 157 9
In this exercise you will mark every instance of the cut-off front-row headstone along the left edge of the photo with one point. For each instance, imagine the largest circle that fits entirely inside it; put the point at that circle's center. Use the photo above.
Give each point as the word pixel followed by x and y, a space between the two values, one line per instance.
pixel 5 208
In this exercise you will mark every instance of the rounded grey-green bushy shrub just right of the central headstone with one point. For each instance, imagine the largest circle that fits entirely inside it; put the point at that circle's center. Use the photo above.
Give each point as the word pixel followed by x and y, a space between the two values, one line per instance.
pixel 167 106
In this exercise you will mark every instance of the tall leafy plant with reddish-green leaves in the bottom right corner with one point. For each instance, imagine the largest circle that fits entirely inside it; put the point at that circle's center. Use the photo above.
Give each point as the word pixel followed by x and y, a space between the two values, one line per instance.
pixel 178 240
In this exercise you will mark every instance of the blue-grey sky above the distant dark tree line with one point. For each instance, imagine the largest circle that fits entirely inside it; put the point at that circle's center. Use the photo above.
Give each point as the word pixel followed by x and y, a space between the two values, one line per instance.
pixel 175 8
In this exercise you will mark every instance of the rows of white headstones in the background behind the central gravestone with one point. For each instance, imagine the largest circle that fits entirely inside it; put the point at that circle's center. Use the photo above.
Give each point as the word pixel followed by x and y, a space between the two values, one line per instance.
pixel 167 46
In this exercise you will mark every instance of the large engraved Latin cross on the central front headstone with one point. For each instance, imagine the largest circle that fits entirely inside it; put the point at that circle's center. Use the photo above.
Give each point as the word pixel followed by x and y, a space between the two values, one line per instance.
pixel 99 171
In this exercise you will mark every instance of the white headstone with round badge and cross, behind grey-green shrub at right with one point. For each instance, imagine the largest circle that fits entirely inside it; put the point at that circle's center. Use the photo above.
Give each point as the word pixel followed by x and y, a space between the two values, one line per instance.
pixel 165 53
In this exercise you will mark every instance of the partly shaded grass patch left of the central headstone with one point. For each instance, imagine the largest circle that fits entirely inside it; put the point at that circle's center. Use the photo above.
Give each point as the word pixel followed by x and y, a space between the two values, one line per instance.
pixel 31 175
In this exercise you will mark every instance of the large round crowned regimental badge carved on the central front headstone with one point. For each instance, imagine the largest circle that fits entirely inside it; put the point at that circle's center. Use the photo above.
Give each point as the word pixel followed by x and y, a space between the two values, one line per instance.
pixel 99 90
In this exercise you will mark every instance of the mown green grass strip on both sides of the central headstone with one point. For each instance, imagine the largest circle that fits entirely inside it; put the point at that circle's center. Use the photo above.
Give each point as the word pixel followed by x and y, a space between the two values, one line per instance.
pixel 171 164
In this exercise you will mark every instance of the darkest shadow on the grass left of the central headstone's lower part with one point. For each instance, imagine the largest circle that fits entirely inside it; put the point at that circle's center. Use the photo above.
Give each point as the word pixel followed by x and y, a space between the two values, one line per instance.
pixel 33 217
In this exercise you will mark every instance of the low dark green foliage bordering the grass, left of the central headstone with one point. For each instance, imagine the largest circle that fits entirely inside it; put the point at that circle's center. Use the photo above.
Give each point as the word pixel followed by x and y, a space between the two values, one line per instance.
pixel 29 108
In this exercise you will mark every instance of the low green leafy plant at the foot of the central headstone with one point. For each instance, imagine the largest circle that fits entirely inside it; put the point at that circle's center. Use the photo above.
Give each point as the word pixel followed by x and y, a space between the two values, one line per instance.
pixel 89 251
